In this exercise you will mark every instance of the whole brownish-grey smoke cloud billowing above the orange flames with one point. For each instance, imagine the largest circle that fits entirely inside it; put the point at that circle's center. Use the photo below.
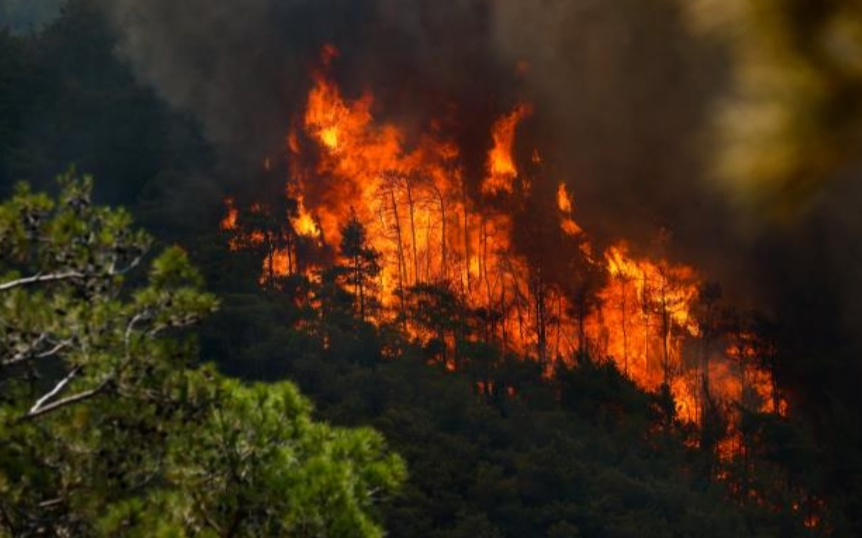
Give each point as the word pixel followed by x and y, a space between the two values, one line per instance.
pixel 621 89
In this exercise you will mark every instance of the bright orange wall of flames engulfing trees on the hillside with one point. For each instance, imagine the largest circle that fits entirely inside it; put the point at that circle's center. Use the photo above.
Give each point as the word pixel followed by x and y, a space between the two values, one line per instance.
pixel 423 226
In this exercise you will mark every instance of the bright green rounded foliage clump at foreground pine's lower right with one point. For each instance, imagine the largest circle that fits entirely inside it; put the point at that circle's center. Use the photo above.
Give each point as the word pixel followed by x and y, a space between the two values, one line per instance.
pixel 261 467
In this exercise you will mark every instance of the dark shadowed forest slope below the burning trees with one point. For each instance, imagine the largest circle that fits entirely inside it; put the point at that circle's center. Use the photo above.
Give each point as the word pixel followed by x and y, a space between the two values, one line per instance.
pixel 497 449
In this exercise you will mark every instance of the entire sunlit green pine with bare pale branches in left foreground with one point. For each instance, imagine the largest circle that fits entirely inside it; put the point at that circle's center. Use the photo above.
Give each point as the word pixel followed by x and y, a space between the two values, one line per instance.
pixel 107 428
